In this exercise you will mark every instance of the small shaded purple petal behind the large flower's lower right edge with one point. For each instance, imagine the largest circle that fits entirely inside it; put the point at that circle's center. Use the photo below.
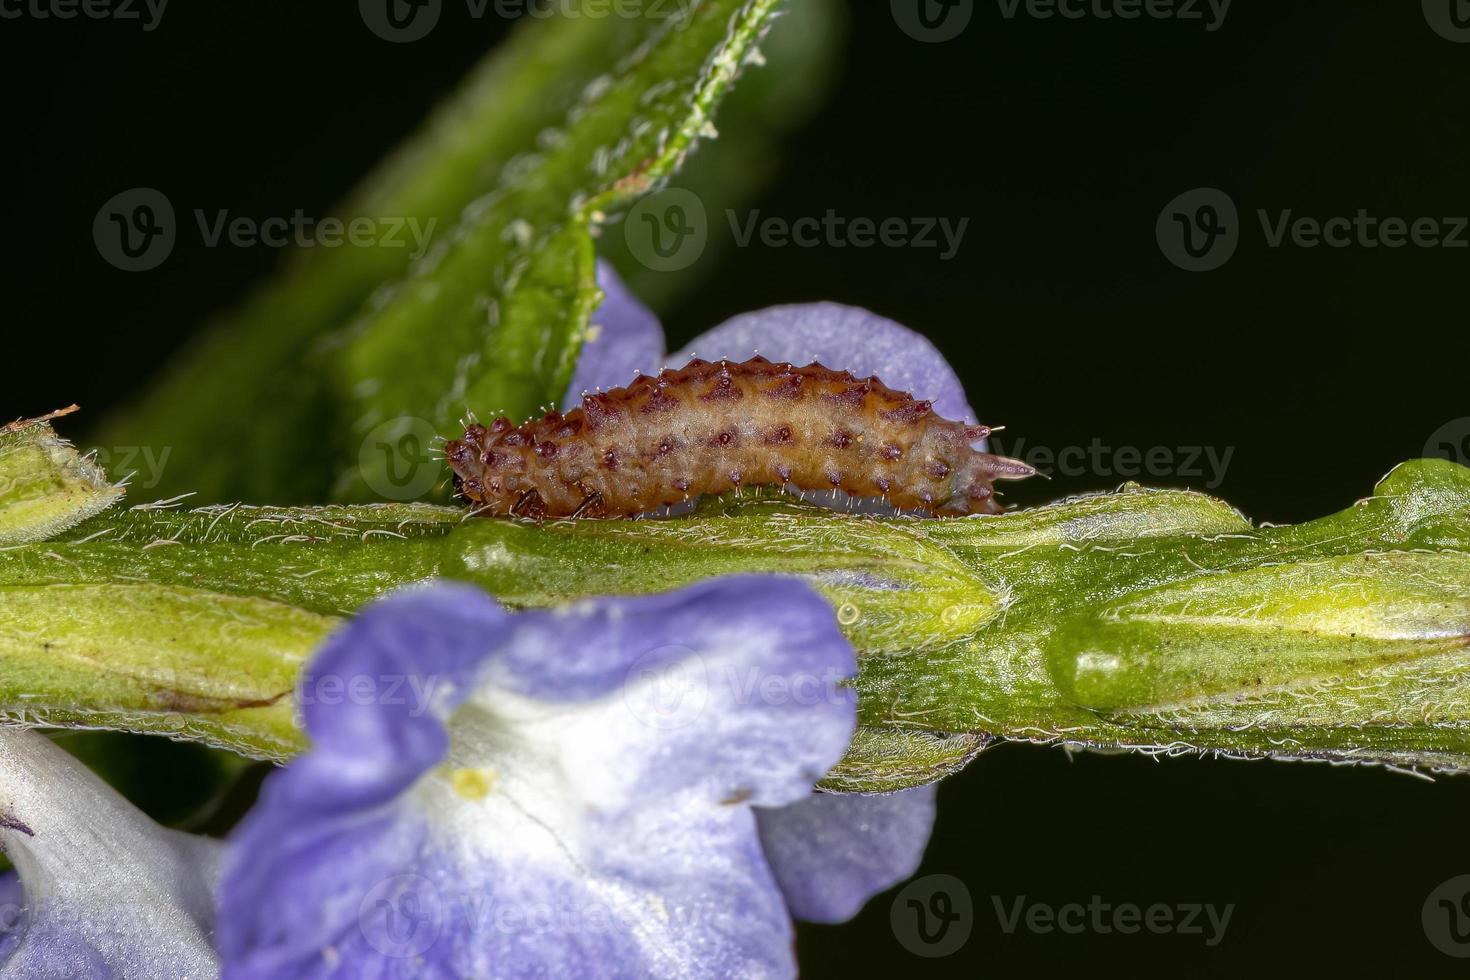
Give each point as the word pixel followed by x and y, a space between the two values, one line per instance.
pixel 831 853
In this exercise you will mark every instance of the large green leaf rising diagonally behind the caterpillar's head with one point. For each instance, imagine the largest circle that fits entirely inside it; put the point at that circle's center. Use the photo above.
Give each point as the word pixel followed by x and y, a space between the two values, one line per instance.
pixel 495 321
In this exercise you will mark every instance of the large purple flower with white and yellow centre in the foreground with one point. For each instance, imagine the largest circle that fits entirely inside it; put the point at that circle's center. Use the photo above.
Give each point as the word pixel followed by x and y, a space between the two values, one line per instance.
pixel 581 810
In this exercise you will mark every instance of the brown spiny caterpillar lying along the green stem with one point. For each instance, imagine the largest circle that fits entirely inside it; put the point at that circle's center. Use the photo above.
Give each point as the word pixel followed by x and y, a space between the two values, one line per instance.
pixel 712 427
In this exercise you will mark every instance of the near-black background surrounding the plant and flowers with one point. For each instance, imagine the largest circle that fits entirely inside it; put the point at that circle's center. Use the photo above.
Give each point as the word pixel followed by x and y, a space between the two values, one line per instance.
pixel 1062 142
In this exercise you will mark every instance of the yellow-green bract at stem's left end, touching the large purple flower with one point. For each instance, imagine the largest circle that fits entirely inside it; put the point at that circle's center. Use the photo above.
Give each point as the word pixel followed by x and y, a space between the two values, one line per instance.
pixel 186 663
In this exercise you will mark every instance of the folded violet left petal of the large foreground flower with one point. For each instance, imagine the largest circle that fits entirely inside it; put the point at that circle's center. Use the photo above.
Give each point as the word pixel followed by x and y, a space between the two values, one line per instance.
pixel 373 702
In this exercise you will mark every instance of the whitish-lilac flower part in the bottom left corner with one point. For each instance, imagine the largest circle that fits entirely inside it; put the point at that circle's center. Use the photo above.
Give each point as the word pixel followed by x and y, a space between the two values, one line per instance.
pixel 104 891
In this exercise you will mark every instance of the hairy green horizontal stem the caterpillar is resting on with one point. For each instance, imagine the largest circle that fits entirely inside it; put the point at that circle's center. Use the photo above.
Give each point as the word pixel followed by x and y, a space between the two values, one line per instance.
pixel 1152 621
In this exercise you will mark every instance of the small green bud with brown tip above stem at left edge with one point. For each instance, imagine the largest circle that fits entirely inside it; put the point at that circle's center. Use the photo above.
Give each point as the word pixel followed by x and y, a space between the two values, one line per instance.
pixel 46 487
